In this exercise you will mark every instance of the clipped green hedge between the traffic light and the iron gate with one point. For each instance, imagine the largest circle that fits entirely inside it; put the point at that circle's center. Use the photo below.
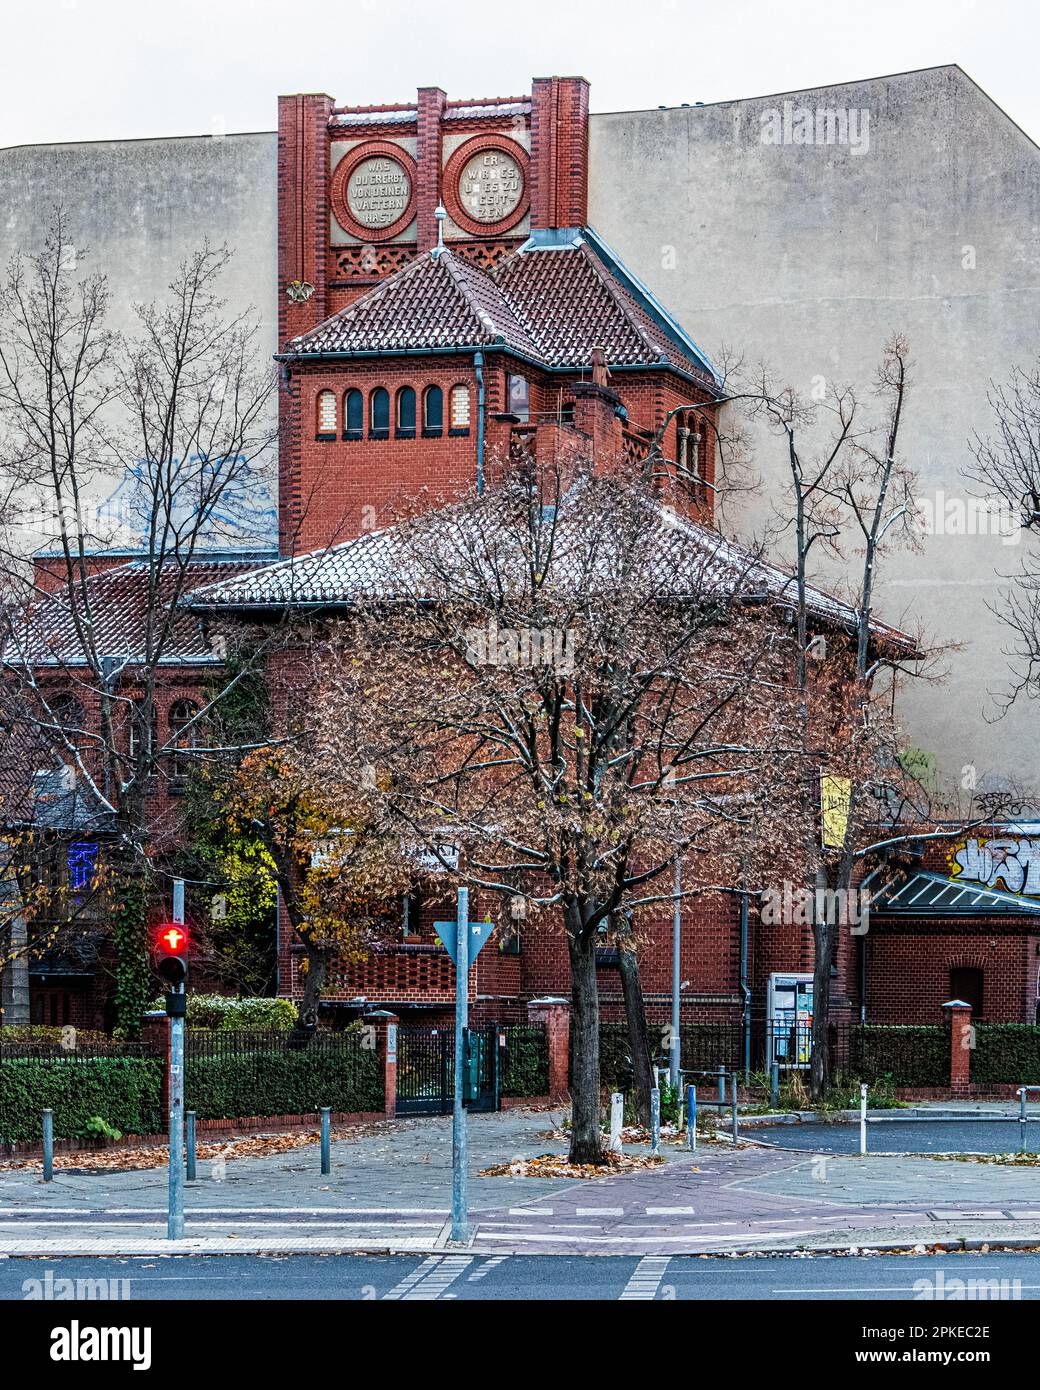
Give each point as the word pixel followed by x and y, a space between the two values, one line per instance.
pixel 284 1082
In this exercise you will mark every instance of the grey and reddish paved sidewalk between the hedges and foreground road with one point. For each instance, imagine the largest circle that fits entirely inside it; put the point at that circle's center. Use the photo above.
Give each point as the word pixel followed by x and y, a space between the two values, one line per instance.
pixel 390 1191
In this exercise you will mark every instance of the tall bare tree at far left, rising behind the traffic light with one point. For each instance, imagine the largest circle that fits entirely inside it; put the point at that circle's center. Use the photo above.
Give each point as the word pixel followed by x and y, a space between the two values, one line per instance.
pixel 161 440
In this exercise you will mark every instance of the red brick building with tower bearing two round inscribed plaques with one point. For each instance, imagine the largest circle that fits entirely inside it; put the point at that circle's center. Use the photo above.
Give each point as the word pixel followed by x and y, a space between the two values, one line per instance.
pixel 444 305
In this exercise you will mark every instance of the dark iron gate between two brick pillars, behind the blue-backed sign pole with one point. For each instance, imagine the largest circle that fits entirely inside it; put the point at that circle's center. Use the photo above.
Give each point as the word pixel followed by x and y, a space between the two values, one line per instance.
pixel 426 1071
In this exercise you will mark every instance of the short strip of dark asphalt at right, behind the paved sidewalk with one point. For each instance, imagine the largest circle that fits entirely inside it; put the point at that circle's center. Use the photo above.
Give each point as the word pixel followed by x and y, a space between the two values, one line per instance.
pixel 904 1136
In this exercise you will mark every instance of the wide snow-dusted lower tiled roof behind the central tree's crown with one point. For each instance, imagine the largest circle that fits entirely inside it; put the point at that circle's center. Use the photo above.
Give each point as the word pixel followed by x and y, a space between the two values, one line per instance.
pixel 376 566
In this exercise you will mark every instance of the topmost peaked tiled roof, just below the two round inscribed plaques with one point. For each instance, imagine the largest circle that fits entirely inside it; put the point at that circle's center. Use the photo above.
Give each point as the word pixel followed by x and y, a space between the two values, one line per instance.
pixel 553 301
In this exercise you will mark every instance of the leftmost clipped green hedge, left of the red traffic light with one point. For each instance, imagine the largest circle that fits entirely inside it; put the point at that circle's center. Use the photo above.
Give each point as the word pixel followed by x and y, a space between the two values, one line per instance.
pixel 122 1090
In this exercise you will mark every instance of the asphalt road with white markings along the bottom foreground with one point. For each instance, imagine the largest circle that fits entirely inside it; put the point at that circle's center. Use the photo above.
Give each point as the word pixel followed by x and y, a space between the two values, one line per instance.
pixel 547 1278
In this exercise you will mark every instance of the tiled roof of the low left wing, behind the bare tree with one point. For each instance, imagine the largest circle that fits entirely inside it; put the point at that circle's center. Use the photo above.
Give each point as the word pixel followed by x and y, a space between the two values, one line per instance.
pixel 117 603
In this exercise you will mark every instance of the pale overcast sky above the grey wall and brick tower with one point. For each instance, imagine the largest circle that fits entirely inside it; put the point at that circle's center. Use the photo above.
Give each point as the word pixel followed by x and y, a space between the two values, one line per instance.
pixel 84 70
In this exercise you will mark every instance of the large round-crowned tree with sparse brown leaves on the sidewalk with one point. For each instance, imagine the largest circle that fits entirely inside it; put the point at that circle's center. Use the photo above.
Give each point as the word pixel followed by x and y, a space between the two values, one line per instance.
pixel 569 685
